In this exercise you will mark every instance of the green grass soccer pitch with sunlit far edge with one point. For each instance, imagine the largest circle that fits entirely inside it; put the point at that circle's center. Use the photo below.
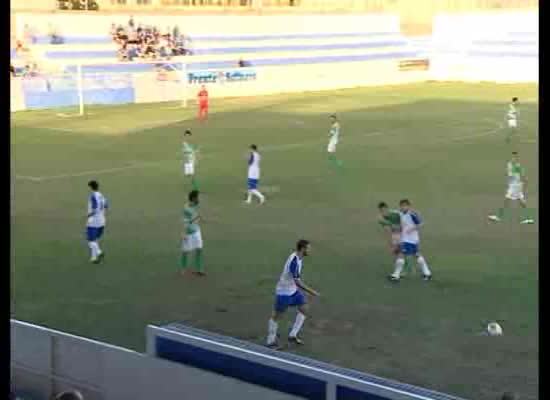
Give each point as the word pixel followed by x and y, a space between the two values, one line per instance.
pixel 440 145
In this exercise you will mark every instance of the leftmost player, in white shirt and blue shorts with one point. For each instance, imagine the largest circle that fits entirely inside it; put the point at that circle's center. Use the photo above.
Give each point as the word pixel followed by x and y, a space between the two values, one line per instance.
pixel 95 225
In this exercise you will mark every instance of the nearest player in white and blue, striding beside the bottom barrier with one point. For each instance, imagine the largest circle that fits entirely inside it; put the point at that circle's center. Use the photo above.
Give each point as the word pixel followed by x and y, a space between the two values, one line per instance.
pixel 289 292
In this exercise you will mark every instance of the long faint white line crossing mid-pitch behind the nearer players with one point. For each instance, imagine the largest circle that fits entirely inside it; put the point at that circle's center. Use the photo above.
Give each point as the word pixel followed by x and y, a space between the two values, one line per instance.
pixel 288 146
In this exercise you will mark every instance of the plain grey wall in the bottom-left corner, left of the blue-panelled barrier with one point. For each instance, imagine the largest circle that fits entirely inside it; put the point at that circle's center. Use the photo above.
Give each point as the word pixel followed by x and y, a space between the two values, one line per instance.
pixel 44 362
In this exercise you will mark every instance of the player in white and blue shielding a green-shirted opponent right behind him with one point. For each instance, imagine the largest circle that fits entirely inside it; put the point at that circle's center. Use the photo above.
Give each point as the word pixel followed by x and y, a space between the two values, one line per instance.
pixel 409 242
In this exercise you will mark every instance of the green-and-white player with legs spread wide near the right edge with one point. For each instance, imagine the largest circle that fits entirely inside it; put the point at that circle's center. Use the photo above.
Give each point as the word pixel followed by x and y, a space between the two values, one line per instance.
pixel 517 183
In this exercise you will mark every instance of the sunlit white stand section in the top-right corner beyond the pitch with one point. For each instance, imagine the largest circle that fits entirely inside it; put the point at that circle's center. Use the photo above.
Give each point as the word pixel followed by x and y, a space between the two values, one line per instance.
pixel 460 50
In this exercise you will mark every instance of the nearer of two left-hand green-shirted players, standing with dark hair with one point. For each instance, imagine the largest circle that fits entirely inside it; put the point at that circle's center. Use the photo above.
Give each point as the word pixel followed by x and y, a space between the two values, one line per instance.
pixel 191 237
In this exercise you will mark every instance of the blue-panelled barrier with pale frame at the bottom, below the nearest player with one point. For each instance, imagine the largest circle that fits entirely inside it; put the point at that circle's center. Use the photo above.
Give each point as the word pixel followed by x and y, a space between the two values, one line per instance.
pixel 281 371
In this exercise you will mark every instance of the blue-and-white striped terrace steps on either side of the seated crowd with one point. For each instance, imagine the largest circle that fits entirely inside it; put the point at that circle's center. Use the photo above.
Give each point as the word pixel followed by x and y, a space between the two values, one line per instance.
pixel 225 51
